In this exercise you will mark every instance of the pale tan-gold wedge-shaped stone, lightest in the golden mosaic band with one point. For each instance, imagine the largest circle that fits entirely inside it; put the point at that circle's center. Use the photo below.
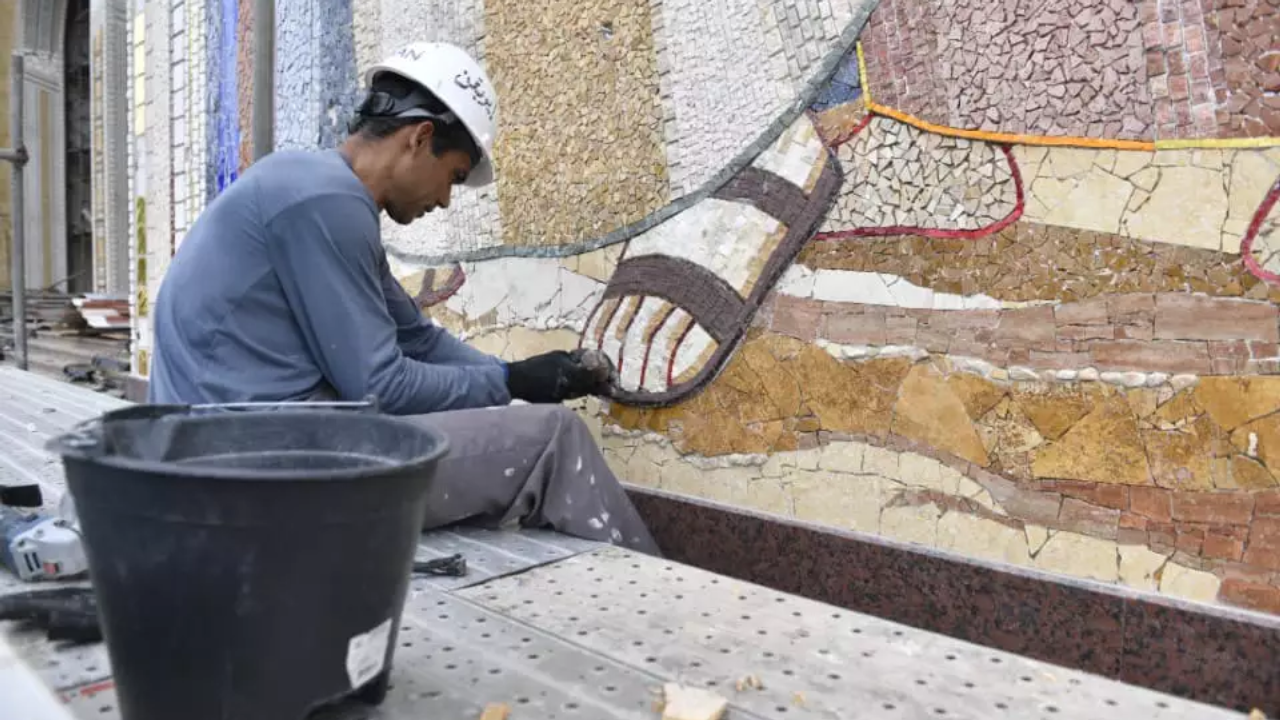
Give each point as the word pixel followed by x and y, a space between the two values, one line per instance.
pixel 929 412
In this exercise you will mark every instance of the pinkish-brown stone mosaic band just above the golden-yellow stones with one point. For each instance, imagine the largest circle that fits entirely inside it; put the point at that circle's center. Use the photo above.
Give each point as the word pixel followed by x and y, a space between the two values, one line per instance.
pixel 1174 334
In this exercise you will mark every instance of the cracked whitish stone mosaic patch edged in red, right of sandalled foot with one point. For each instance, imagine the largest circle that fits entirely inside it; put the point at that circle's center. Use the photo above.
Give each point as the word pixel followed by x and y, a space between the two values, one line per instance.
pixel 900 177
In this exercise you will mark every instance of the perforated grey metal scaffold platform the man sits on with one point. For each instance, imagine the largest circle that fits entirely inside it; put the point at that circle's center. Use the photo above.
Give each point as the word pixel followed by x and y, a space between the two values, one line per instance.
pixel 563 630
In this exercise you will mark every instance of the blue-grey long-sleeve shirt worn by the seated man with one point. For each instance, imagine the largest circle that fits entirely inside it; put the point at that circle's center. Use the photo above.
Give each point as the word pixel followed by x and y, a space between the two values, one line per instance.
pixel 282 290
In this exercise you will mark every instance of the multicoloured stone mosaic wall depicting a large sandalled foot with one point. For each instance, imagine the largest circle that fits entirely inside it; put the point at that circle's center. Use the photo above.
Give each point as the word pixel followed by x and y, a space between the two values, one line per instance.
pixel 995 279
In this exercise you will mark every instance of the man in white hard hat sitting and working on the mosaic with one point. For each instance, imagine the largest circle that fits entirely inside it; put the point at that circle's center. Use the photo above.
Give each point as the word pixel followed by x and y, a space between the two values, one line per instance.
pixel 282 291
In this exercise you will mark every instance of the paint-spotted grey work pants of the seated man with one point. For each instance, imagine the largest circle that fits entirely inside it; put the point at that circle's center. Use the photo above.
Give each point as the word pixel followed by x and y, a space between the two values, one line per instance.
pixel 534 467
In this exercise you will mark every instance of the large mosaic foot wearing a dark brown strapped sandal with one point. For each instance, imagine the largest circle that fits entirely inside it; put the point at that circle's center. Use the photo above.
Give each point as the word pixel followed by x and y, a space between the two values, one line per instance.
pixel 684 293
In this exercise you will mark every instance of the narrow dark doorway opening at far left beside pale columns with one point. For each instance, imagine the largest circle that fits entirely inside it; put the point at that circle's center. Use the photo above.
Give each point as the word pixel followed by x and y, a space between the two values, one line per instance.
pixel 80 204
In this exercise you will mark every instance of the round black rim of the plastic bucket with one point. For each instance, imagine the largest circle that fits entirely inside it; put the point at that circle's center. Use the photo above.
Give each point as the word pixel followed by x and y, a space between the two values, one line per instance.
pixel 77 446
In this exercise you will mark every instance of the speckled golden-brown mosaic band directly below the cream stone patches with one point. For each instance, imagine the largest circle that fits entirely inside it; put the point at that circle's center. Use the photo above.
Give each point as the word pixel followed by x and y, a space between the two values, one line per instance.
pixel 1035 262
